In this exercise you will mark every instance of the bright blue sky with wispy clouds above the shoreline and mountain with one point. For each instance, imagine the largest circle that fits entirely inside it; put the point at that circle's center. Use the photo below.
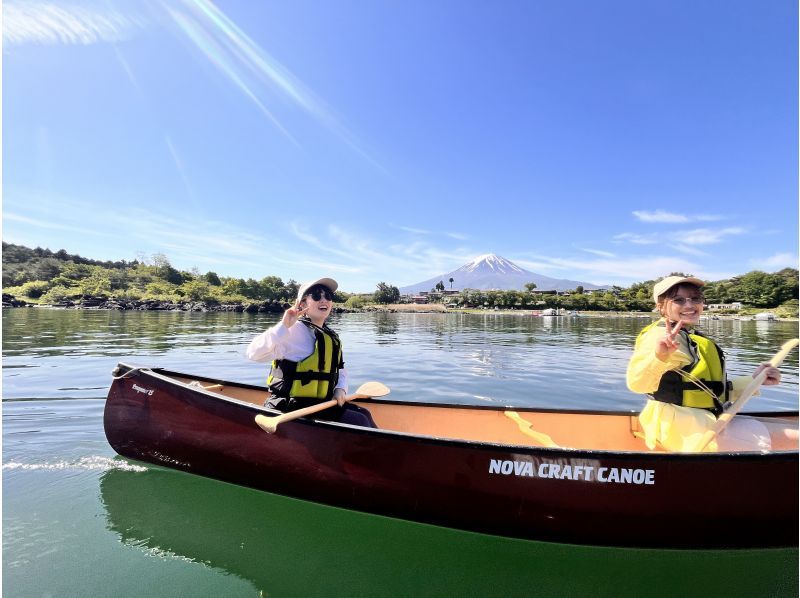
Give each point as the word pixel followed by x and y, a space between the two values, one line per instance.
pixel 607 142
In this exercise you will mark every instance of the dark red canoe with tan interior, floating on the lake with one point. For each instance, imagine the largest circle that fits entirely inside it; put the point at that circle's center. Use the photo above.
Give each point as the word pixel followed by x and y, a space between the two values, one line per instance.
pixel 468 467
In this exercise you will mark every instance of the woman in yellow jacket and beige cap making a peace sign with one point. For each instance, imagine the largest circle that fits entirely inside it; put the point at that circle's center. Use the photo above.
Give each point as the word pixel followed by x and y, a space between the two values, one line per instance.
pixel 683 371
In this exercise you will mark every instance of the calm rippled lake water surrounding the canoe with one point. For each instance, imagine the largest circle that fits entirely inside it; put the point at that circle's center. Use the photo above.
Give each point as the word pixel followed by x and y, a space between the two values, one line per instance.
pixel 80 521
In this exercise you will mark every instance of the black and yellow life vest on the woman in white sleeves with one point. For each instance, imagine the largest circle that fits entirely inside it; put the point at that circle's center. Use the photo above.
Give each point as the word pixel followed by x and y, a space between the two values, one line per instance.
pixel 314 377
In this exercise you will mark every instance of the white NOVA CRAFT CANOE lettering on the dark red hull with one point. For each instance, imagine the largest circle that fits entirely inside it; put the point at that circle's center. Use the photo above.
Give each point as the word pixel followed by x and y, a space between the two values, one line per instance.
pixel 575 470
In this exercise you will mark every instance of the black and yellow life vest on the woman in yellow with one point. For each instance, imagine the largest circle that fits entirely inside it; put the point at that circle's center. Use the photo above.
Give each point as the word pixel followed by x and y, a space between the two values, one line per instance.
pixel 702 383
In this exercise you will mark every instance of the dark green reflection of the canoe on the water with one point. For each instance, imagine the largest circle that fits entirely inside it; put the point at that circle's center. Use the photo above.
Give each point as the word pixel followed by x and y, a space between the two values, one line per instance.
pixel 286 547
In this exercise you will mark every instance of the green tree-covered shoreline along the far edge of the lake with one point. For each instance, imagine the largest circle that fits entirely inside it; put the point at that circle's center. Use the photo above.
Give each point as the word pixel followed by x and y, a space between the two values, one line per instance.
pixel 42 277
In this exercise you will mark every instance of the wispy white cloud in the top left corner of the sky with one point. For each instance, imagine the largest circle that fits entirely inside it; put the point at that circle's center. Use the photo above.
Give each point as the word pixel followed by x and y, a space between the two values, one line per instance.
pixel 50 23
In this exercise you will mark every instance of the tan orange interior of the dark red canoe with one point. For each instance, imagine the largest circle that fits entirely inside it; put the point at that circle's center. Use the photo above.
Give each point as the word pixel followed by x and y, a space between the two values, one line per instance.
pixel 568 429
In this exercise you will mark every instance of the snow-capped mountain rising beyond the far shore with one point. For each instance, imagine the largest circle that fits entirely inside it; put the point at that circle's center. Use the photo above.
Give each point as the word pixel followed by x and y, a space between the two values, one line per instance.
pixel 491 271
